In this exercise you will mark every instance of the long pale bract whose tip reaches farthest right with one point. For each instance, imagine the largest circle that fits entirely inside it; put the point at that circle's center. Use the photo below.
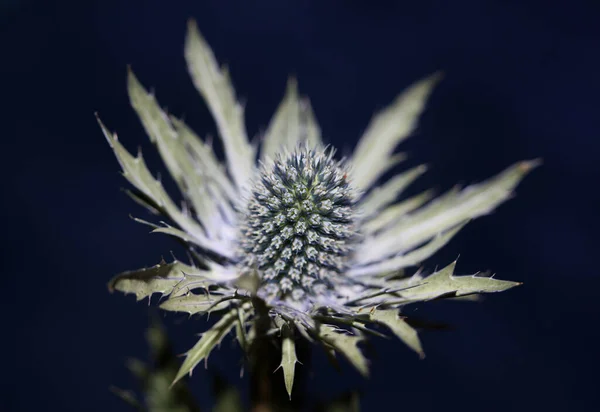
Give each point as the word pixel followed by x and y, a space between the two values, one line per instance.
pixel 446 212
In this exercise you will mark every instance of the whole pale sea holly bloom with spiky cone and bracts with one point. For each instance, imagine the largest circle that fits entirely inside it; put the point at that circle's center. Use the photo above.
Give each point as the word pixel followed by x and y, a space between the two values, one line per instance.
pixel 284 231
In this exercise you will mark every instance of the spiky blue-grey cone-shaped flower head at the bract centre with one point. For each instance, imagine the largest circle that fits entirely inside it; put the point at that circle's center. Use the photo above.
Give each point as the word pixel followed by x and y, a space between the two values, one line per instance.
pixel 299 224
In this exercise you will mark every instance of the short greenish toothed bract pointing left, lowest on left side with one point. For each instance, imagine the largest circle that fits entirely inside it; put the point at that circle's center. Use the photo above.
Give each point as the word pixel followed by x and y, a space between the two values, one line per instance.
pixel 161 278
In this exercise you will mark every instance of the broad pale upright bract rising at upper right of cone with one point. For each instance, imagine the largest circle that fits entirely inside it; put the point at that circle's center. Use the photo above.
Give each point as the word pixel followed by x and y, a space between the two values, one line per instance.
pixel 373 154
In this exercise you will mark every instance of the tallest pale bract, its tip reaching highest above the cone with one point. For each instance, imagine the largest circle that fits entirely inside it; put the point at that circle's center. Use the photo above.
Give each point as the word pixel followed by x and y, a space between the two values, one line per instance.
pixel 214 85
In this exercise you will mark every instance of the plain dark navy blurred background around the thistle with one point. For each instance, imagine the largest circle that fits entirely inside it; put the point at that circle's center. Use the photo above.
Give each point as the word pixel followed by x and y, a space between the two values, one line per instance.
pixel 521 81
